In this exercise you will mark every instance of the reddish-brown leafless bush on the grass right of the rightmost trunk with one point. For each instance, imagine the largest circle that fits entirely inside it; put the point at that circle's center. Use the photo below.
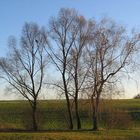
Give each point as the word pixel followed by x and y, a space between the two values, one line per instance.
pixel 112 118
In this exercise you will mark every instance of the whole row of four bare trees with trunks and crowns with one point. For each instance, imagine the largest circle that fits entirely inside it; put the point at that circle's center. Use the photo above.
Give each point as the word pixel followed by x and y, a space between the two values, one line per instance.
pixel 89 56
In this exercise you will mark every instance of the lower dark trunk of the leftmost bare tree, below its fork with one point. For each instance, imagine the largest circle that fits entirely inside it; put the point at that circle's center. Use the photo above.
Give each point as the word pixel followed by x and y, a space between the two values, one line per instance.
pixel 34 120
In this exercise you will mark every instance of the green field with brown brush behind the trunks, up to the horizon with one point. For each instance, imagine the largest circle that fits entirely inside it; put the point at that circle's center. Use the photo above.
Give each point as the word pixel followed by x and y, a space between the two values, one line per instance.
pixel 123 114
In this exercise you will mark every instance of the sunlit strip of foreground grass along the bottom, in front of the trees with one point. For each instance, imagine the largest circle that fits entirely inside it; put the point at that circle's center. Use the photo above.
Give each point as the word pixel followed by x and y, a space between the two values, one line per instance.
pixel 81 135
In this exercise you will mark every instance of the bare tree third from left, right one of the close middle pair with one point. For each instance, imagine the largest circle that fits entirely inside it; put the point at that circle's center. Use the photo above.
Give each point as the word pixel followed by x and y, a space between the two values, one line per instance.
pixel 77 69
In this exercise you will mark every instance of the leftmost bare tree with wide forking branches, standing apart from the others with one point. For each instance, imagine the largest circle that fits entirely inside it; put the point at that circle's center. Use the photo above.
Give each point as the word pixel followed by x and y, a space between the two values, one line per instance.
pixel 24 66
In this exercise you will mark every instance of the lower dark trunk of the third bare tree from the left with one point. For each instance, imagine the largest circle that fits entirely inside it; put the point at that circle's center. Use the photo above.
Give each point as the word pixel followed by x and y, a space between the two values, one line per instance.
pixel 77 115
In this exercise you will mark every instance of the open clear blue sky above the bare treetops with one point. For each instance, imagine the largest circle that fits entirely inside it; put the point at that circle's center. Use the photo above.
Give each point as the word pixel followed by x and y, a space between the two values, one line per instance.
pixel 14 13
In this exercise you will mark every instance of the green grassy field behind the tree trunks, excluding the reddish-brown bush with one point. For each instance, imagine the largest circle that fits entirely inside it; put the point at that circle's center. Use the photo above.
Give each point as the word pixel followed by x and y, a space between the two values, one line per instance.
pixel 52 114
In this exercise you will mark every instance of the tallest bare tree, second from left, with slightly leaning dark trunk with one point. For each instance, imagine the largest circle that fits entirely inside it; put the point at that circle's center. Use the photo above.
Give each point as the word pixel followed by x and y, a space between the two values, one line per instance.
pixel 62 37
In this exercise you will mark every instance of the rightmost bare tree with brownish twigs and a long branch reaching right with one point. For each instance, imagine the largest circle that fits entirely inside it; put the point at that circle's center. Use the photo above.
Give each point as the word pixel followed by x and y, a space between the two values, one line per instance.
pixel 109 53
